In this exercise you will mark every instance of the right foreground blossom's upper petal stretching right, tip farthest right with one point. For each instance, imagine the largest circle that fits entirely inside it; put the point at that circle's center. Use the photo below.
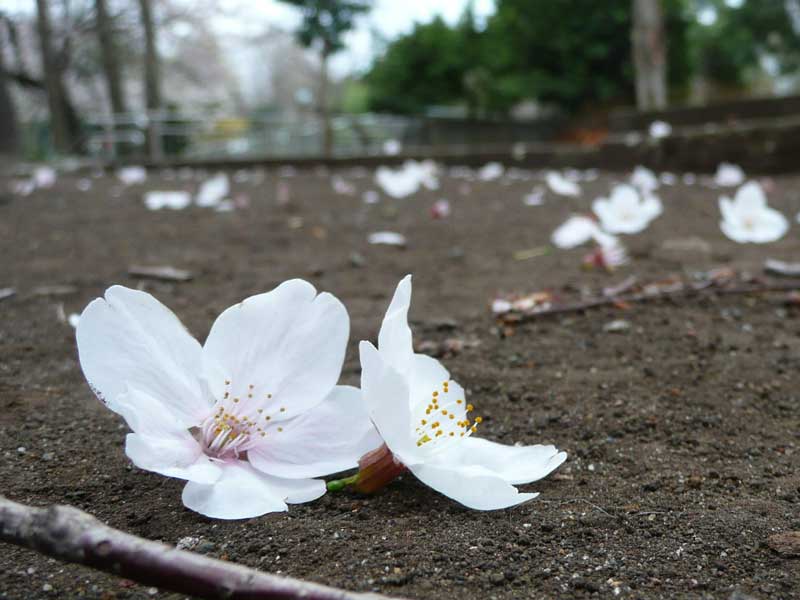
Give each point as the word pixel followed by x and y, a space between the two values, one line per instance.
pixel 515 464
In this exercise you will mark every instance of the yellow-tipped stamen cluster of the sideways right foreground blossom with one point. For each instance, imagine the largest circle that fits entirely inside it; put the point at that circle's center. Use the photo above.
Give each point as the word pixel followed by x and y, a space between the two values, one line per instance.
pixel 443 419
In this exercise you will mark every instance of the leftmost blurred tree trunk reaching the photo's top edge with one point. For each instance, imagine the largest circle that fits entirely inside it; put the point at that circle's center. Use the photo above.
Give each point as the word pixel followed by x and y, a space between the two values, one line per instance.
pixel 54 85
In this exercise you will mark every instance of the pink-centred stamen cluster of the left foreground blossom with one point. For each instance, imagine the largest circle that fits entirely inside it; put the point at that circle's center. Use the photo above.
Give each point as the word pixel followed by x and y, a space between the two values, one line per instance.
pixel 237 424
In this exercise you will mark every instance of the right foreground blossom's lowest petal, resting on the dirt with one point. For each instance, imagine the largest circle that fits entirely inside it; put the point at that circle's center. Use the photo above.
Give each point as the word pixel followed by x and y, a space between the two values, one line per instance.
pixel 474 487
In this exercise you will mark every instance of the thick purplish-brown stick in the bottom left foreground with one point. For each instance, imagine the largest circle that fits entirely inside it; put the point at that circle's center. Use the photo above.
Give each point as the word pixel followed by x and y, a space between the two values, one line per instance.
pixel 71 535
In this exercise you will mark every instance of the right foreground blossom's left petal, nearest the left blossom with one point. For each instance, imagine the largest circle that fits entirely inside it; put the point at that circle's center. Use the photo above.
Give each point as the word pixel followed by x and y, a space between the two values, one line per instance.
pixel 385 394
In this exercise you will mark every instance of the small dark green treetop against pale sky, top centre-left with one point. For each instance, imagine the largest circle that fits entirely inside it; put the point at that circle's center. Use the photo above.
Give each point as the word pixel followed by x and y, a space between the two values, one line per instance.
pixel 326 21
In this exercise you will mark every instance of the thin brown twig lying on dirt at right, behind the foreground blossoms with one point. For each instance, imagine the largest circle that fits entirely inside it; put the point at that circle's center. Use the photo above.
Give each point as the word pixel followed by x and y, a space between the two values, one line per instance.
pixel 706 288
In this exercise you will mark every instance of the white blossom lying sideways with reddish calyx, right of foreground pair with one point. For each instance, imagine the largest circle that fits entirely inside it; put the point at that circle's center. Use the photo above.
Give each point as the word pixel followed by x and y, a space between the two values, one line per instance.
pixel 427 426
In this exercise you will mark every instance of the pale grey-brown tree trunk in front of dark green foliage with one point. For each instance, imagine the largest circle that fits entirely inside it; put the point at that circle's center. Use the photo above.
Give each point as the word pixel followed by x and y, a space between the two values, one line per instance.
pixel 649 54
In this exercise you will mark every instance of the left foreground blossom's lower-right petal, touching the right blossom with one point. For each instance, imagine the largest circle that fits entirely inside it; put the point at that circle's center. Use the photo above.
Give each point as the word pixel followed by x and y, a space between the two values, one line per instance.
pixel 327 439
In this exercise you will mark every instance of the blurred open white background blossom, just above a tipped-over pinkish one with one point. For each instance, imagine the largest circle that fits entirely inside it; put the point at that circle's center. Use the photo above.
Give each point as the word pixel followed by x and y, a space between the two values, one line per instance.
pixel 626 211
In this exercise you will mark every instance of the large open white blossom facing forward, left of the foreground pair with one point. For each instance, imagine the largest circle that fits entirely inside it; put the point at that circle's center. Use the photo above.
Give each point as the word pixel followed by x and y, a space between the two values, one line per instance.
pixel 248 419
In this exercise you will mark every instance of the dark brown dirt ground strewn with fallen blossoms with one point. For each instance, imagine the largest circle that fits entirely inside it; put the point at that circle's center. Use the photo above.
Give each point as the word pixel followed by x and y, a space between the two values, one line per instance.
pixel 682 431
